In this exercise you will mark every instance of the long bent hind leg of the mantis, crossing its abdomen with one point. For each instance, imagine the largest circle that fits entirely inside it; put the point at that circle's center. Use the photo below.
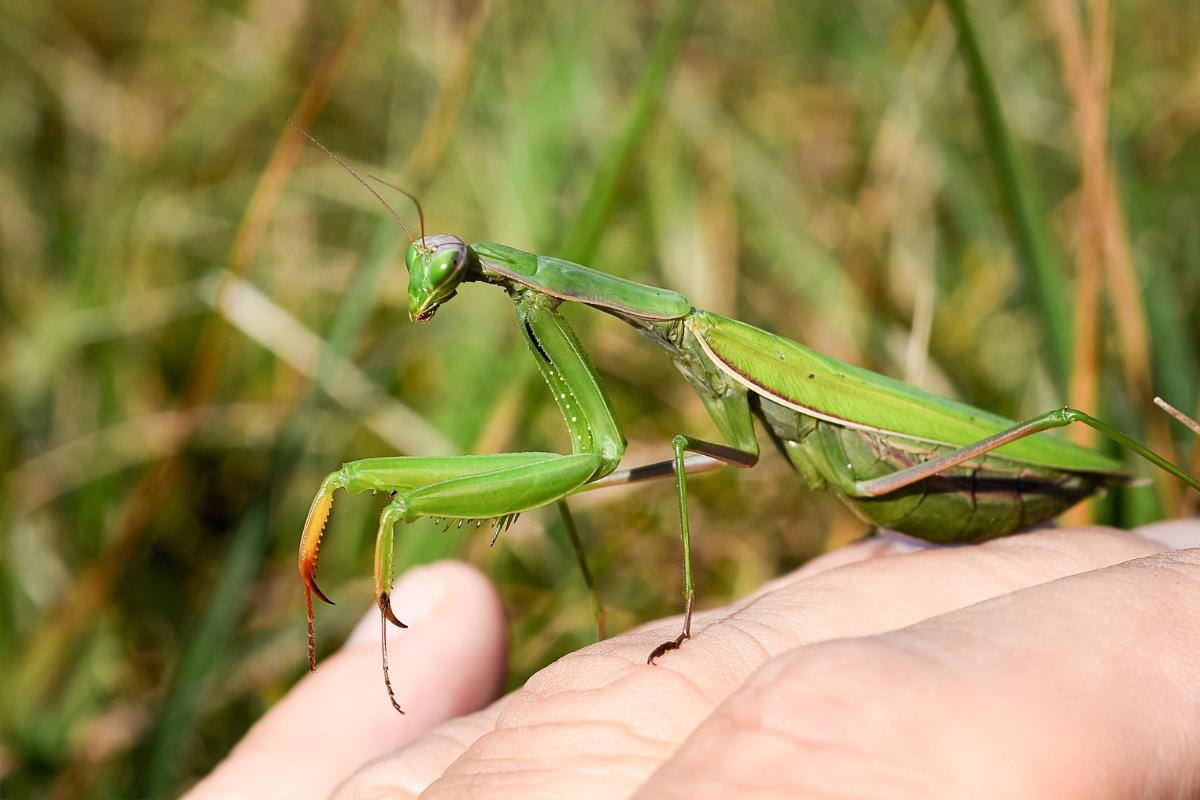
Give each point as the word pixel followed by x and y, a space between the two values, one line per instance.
pixel 1057 419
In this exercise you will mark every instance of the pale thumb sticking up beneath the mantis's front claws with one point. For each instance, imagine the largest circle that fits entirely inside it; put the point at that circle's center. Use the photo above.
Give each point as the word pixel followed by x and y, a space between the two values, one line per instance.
pixel 449 663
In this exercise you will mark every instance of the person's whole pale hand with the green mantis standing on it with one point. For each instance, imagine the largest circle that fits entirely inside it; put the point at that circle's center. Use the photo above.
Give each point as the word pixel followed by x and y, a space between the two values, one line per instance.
pixel 1058 664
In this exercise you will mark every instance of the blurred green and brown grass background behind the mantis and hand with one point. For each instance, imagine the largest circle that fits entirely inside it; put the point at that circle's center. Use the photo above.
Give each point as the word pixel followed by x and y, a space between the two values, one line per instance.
pixel 837 173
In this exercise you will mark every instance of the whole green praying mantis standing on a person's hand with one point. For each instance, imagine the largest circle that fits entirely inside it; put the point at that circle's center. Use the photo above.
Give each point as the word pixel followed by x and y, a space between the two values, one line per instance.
pixel 901 458
